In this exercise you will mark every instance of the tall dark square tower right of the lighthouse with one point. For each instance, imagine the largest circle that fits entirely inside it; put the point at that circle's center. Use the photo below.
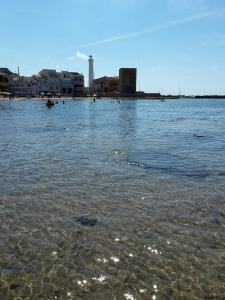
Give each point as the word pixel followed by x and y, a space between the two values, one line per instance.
pixel 127 81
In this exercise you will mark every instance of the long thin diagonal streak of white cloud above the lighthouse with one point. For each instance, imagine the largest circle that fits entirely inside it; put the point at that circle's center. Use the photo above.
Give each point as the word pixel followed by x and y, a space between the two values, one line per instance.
pixel 160 27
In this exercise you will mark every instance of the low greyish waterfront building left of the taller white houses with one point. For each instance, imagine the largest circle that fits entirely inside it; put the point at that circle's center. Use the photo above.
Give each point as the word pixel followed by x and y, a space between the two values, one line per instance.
pixel 22 86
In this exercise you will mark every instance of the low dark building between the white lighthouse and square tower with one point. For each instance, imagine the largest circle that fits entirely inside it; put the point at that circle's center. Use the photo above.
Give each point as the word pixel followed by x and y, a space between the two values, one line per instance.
pixel 106 85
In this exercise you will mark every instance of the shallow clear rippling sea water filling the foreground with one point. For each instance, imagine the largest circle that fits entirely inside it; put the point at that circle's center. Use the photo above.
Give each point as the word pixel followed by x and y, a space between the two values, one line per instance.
pixel 148 176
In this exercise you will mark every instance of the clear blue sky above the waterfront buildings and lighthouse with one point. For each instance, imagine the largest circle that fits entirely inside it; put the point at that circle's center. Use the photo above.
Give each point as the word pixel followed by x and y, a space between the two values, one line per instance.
pixel 175 44
